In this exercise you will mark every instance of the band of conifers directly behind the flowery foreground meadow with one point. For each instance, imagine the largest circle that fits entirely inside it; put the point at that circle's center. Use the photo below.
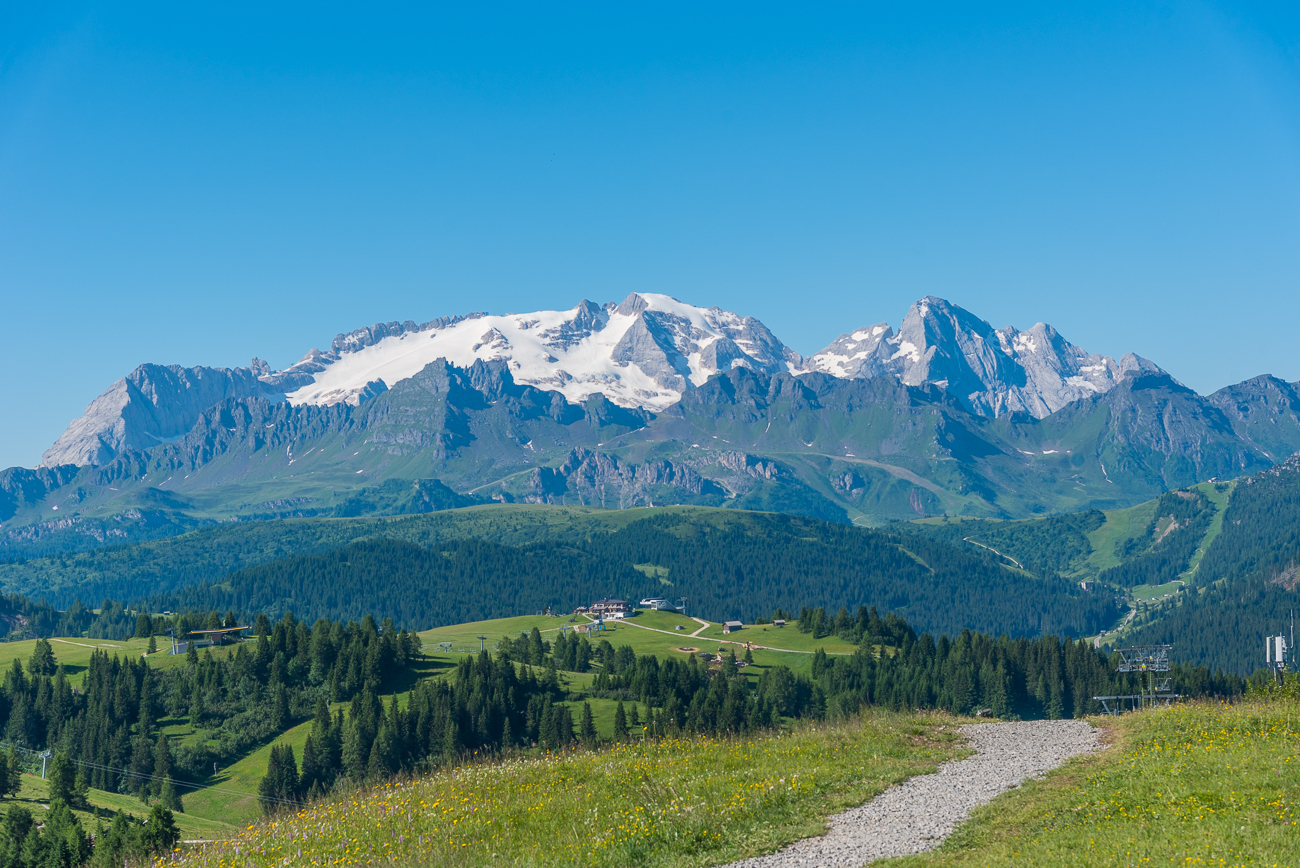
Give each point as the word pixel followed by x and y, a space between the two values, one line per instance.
pixel 517 698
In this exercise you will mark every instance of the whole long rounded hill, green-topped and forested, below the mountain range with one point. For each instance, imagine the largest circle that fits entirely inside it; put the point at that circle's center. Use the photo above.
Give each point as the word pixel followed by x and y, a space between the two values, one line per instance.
pixel 491 562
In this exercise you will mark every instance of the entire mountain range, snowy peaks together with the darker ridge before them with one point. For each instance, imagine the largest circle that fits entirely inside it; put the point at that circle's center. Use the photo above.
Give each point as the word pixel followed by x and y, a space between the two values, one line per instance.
pixel 644 403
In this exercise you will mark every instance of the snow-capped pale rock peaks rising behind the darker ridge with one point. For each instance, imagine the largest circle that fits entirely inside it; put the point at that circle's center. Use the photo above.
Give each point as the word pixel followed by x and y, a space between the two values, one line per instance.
pixel 647 351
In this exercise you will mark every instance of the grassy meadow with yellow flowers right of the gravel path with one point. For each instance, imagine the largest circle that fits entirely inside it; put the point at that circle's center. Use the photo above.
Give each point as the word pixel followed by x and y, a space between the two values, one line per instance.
pixel 1194 785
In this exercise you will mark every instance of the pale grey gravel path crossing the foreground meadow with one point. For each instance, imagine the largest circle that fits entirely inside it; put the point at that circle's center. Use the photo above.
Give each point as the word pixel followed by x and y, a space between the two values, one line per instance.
pixel 921 813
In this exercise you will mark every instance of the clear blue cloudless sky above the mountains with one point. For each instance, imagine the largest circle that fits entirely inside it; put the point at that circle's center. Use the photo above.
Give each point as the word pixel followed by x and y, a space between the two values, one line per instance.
pixel 202 184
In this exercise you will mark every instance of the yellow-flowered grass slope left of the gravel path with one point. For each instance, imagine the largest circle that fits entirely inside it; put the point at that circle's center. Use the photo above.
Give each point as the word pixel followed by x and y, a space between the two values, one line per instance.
pixel 678 802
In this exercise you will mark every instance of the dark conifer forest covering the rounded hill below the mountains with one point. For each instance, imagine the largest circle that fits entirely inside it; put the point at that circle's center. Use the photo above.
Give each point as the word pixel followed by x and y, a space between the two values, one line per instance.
pixel 743 568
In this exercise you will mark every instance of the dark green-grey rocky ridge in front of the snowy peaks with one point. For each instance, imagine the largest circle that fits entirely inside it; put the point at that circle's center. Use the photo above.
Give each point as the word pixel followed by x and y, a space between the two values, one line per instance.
pixel 861 450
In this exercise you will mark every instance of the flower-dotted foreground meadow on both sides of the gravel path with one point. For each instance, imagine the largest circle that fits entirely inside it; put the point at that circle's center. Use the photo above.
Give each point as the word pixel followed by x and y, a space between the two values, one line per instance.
pixel 1198 784
